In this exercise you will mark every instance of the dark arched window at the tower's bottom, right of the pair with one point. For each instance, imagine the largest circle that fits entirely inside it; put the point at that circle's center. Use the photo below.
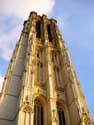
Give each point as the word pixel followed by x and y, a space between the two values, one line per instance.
pixel 61 115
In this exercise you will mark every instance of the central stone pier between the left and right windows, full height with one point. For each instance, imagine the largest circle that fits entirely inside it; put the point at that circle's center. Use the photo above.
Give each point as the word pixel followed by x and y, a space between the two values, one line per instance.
pixel 52 118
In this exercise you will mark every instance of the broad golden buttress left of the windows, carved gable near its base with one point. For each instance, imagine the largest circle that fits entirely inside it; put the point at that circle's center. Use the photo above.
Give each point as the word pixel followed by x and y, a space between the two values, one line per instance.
pixel 26 92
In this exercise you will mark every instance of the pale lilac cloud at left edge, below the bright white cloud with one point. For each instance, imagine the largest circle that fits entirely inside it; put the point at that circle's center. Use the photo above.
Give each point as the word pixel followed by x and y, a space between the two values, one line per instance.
pixel 8 41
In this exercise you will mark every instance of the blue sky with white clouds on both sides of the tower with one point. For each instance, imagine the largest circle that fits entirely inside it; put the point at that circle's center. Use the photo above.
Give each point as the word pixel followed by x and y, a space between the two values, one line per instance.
pixel 76 23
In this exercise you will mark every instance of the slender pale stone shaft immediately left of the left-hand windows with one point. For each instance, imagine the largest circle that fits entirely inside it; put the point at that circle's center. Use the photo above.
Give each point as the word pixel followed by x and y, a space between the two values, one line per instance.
pixel 33 58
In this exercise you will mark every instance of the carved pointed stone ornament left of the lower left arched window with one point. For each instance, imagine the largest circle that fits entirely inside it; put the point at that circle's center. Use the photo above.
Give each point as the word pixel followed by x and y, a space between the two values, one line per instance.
pixel 26 106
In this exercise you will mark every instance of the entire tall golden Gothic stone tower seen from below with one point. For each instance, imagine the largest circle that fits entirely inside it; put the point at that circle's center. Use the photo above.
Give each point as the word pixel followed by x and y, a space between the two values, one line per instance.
pixel 40 86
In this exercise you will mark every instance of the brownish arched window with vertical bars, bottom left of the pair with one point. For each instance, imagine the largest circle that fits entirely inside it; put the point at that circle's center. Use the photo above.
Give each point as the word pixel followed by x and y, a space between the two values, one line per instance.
pixel 38 113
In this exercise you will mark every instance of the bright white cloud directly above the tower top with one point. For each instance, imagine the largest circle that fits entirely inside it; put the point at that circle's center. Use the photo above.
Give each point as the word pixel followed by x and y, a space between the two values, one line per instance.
pixel 23 7
